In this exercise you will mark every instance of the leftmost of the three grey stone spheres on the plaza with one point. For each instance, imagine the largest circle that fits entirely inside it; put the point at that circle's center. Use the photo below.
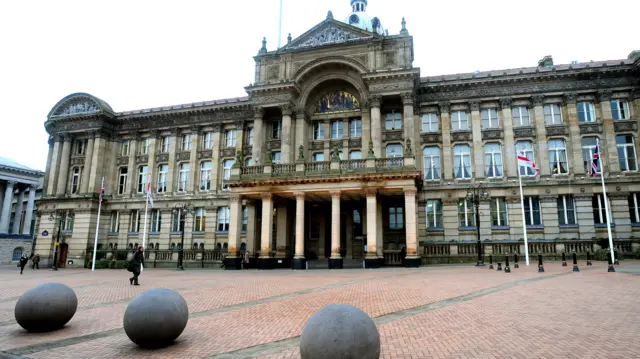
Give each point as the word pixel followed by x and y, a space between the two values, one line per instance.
pixel 46 307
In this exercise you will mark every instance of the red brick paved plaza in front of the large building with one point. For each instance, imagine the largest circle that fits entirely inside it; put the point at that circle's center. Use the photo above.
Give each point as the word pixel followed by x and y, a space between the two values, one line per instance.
pixel 430 312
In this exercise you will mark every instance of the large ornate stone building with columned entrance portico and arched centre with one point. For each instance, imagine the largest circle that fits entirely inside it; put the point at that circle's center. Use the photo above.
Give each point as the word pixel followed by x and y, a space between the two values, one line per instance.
pixel 342 150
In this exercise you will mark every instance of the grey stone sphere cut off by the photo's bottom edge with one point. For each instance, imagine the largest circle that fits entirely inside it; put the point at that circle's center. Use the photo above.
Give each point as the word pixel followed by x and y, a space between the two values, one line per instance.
pixel 340 331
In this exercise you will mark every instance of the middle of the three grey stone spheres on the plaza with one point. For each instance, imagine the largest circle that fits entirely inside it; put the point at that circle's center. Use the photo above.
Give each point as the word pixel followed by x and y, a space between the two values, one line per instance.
pixel 155 318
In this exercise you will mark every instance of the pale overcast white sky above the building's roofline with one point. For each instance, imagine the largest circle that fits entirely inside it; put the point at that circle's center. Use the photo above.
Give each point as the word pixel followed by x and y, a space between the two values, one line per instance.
pixel 140 54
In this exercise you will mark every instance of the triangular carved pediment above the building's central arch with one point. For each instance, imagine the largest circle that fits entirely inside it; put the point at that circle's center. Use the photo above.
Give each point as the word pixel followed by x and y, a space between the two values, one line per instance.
pixel 329 32
